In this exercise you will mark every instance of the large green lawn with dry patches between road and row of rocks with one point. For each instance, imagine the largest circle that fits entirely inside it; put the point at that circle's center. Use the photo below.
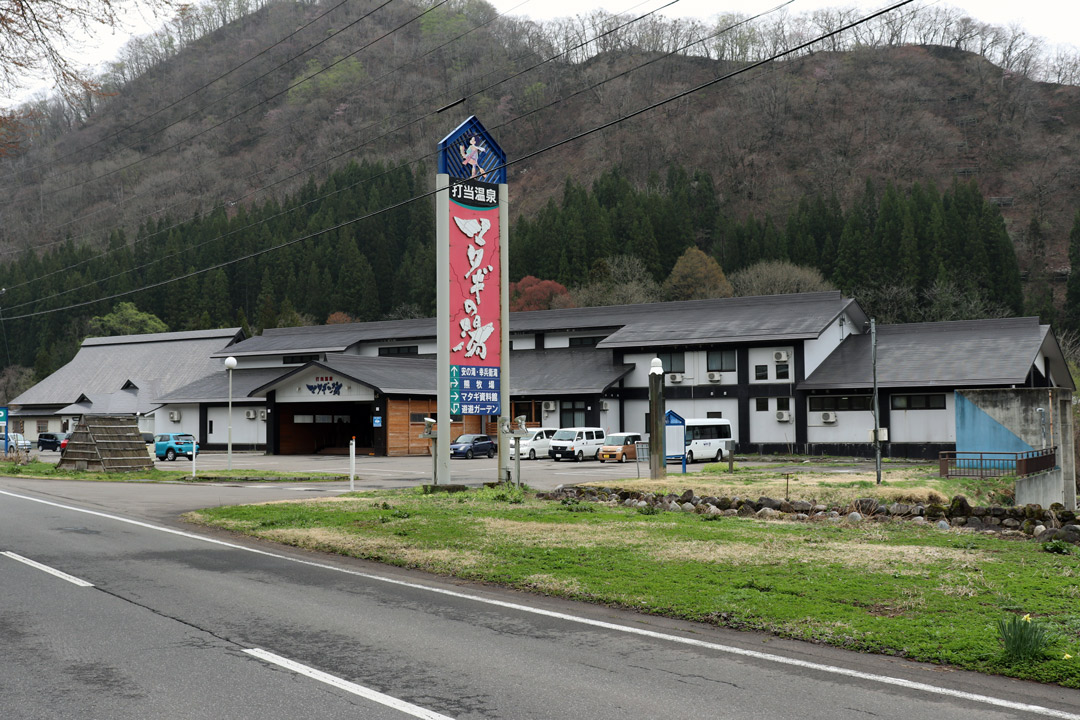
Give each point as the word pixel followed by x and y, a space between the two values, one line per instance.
pixel 893 589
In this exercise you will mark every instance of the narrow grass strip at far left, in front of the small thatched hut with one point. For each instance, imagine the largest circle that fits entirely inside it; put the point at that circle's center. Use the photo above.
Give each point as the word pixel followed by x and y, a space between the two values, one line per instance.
pixel 183 474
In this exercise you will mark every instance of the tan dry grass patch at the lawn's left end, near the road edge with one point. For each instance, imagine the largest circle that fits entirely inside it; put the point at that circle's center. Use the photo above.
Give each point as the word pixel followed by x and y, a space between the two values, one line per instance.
pixel 395 550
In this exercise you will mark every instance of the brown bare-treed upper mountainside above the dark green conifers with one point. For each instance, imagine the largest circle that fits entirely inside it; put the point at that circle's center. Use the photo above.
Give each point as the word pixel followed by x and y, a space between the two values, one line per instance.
pixel 820 125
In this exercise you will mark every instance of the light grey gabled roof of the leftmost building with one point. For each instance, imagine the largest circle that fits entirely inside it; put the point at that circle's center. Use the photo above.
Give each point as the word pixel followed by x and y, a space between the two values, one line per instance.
pixel 106 365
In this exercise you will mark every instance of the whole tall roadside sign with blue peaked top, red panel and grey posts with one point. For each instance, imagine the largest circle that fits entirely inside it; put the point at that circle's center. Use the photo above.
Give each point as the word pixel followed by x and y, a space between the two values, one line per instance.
pixel 472 288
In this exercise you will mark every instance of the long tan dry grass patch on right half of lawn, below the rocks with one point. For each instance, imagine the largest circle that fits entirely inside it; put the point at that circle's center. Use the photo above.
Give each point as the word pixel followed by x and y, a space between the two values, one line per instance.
pixel 903 560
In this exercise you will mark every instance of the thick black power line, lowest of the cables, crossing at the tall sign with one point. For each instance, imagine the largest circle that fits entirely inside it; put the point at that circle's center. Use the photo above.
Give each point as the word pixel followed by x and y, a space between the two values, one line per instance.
pixel 553 146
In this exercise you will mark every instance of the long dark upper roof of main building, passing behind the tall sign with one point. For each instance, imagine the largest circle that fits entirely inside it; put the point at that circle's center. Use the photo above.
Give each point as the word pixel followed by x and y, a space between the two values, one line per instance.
pixel 691 322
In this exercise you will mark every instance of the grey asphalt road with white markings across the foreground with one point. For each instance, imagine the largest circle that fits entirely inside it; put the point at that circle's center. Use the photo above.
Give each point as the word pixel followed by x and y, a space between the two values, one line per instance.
pixel 180 624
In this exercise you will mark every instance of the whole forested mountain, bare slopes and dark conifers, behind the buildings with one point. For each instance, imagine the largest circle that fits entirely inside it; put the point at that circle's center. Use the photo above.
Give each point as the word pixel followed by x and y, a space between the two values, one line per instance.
pixel 917 157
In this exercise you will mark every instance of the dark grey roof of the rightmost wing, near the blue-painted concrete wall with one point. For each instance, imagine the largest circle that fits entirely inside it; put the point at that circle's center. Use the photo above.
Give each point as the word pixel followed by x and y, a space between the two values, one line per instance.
pixel 956 355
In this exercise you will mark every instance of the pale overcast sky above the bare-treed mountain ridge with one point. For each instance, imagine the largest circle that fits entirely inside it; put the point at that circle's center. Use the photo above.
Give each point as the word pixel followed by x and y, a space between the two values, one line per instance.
pixel 1057 21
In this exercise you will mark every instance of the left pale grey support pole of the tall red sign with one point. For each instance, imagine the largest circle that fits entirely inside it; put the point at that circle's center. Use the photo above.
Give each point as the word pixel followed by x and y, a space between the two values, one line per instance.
pixel 443 313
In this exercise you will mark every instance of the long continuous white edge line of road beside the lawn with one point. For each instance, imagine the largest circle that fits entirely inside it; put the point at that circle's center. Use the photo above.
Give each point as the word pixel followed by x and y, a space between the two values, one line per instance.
pixel 884 680
